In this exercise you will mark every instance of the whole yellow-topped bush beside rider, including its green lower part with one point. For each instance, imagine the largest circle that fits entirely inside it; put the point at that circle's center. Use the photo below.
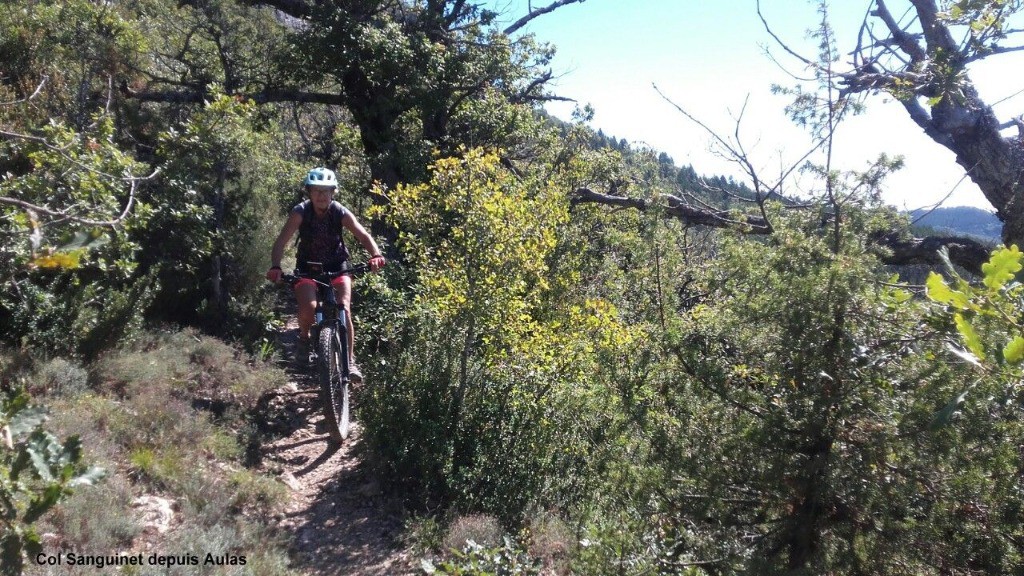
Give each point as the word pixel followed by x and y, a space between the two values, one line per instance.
pixel 505 362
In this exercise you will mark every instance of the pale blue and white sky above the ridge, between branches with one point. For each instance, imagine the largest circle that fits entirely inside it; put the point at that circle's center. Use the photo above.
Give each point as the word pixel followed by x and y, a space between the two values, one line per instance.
pixel 709 58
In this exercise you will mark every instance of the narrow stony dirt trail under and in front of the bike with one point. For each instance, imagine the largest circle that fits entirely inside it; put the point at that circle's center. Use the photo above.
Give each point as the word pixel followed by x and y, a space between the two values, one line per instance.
pixel 342 523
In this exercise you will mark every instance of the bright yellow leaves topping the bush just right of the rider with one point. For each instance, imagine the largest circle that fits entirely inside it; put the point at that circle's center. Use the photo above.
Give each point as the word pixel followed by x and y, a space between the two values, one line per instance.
pixel 483 236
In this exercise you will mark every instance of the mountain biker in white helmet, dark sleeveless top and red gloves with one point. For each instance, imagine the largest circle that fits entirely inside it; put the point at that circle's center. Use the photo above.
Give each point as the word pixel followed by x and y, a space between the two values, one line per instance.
pixel 320 222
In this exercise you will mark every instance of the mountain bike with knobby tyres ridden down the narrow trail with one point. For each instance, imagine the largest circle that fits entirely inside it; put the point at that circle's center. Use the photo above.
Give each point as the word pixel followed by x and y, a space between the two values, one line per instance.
pixel 329 344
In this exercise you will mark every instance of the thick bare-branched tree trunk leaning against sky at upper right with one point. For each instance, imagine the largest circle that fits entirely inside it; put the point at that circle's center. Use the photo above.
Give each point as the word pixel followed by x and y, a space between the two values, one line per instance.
pixel 927 71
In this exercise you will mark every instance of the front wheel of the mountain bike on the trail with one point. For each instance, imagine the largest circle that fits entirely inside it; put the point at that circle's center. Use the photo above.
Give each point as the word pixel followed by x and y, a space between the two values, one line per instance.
pixel 332 375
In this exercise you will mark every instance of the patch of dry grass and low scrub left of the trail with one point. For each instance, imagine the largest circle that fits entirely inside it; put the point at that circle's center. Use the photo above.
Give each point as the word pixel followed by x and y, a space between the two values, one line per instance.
pixel 168 417
